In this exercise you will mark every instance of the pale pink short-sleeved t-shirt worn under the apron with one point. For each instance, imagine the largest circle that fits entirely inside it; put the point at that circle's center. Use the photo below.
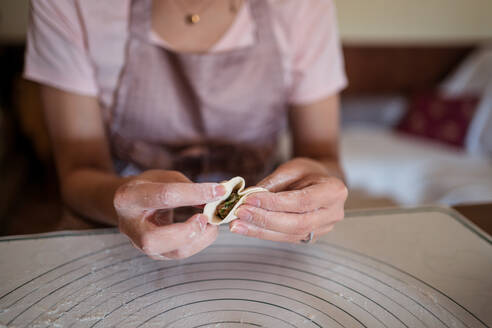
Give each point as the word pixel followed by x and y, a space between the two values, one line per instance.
pixel 79 45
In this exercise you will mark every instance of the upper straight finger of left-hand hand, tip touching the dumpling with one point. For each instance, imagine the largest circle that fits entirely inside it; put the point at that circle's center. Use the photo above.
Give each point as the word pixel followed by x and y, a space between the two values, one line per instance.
pixel 154 195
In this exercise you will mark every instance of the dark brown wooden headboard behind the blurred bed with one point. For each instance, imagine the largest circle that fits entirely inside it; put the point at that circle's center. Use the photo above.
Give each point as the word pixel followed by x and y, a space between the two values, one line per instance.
pixel 400 69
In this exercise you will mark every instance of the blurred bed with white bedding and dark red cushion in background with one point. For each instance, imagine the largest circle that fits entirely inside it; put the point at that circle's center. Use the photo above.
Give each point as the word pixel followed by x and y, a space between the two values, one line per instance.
pixel 423 142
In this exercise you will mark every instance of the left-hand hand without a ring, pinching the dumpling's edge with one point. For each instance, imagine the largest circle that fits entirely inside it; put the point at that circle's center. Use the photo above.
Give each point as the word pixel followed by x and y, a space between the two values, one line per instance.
pixel 144 206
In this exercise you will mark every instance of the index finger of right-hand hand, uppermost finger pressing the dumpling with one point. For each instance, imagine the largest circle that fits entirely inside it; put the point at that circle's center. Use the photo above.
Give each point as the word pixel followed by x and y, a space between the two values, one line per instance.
pixel 304 200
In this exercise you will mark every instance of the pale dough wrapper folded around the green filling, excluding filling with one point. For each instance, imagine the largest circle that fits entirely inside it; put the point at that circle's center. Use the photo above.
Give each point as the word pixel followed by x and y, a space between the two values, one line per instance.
pixel 236 184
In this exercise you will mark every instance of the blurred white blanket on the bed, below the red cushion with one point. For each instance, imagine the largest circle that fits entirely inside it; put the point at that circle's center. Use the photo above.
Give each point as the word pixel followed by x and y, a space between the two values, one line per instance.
pixel 413 171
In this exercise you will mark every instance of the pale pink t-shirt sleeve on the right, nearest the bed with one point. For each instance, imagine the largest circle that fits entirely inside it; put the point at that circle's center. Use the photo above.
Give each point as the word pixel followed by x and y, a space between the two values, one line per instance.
pixel 317 60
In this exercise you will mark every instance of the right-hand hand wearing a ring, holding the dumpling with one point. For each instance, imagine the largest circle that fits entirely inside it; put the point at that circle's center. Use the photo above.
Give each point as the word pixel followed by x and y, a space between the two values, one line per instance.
pixel 303 198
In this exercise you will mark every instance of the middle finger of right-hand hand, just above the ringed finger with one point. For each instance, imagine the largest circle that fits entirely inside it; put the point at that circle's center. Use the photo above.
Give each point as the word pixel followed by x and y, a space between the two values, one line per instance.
pixel 290 223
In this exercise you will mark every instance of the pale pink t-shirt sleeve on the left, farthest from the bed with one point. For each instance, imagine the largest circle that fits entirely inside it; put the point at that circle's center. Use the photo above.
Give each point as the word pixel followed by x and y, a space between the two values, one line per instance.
pixel 56 54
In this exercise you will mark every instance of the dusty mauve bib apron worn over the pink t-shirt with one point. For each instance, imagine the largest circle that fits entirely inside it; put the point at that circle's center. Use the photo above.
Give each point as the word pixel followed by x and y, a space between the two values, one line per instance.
pixel 209 115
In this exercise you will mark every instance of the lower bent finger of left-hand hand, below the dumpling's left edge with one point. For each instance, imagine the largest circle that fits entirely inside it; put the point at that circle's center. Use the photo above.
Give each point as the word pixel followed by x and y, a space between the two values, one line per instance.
pixel 159 240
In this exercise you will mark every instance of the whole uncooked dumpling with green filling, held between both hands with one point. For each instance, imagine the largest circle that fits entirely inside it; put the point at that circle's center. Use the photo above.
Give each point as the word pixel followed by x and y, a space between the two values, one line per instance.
pixel 223 210
